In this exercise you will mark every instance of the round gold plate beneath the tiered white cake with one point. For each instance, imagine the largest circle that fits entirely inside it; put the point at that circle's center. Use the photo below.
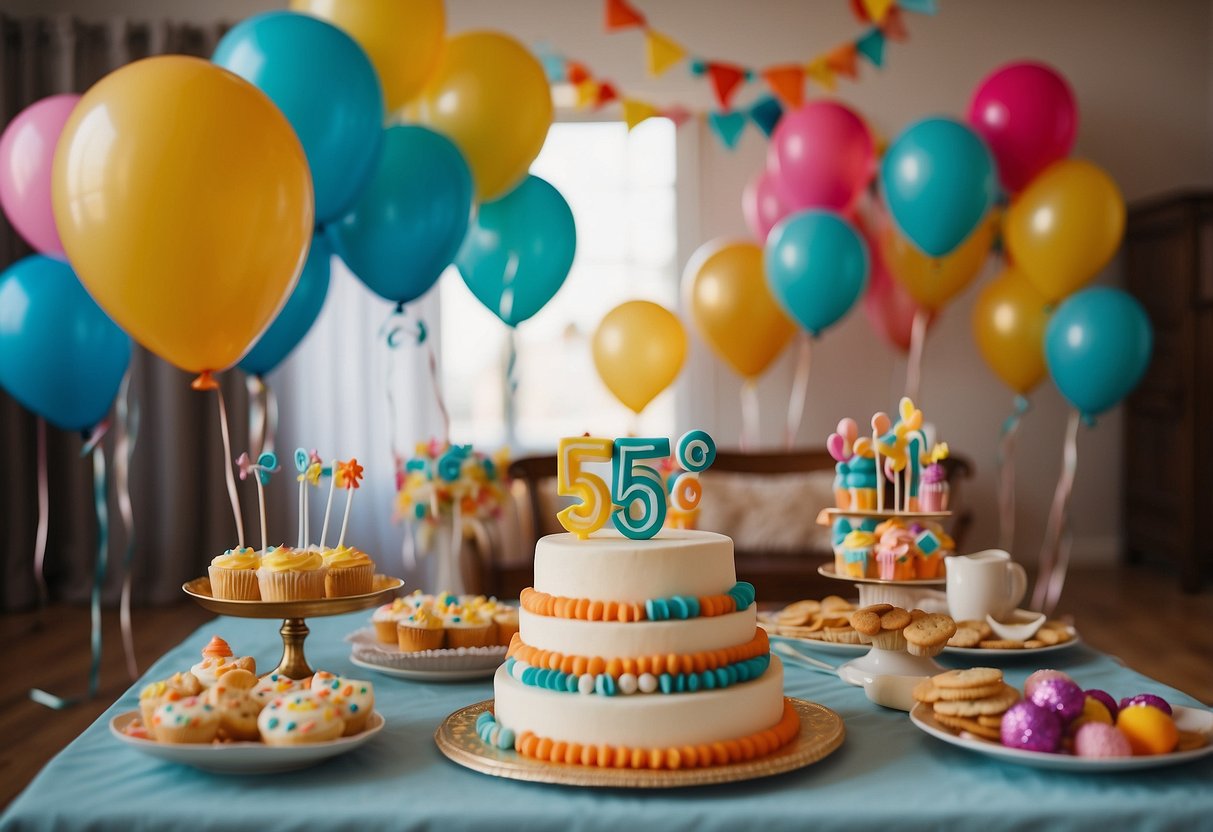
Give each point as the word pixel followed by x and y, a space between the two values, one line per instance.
pixel 822 734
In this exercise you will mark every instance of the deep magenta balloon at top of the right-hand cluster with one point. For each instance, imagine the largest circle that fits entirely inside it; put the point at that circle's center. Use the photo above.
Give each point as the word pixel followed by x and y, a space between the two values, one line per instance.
pixel 1027 113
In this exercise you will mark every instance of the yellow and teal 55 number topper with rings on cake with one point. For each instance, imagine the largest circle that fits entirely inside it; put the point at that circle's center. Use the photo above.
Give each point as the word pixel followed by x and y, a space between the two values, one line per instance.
pixel 636 500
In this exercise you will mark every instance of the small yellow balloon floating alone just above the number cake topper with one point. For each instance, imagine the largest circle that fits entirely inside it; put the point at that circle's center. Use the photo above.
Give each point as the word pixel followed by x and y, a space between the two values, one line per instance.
pixel 639 349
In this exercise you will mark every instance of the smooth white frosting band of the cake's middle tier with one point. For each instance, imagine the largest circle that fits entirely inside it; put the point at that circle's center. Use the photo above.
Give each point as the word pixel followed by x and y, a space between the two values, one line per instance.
pixel 612 640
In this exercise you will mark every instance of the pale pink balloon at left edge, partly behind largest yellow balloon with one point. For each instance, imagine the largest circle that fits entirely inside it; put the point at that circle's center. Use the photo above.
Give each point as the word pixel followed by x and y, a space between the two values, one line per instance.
pixel 27 152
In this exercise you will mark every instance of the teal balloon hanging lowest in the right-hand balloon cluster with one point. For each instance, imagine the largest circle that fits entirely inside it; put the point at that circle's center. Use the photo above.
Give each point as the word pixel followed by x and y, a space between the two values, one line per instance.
pixel 1097 346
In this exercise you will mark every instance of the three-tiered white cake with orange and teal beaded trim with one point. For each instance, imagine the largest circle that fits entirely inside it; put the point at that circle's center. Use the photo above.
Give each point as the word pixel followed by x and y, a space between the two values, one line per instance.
pixel 640 654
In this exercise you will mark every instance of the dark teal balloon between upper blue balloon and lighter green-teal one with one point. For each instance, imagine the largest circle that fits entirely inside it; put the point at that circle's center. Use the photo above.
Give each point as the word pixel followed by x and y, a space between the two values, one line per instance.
pixel 409 223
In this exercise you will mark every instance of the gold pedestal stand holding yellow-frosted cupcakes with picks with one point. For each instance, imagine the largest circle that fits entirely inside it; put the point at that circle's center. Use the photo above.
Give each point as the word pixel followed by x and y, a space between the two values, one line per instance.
pixel 293 613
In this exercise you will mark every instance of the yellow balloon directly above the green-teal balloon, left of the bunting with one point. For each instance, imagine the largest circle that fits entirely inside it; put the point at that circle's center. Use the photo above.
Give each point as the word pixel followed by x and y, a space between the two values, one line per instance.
pixel 489 96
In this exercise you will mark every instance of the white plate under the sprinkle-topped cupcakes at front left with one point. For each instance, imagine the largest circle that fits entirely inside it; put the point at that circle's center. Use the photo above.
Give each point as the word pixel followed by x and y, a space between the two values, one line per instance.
pixel 244 757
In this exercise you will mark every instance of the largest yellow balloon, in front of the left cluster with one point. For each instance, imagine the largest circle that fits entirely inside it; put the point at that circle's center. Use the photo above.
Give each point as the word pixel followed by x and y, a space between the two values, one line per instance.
pixel 185 204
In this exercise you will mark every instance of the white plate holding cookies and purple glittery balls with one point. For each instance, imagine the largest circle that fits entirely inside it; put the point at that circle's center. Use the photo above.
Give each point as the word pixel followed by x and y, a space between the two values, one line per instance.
pixel 1191 720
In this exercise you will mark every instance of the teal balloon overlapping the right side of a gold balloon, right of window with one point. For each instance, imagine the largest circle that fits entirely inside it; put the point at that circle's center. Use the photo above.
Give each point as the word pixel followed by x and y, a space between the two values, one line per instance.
pixel 817 267
